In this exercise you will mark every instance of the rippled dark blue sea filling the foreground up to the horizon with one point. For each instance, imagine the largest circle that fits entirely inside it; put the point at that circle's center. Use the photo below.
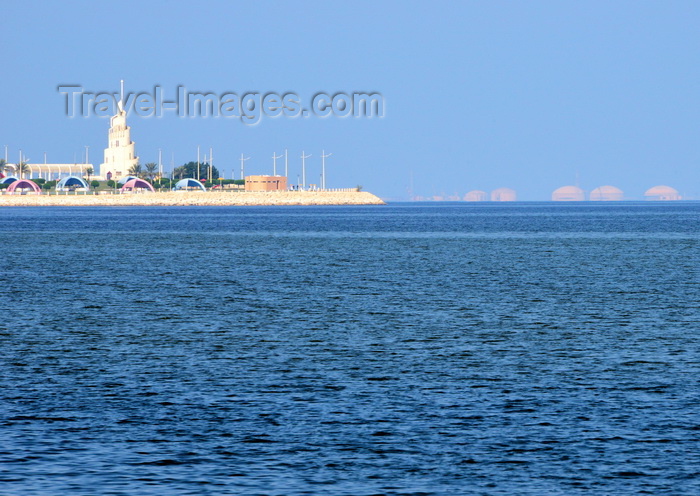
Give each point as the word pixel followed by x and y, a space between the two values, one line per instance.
pixel 439 349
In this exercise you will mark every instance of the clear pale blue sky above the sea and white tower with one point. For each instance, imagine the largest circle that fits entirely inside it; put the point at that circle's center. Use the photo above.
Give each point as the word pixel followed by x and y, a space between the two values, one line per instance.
pixel 478 95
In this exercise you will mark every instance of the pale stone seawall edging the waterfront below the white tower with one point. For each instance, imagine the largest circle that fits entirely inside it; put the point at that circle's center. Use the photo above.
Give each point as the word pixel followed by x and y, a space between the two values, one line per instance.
pixel 194 199
